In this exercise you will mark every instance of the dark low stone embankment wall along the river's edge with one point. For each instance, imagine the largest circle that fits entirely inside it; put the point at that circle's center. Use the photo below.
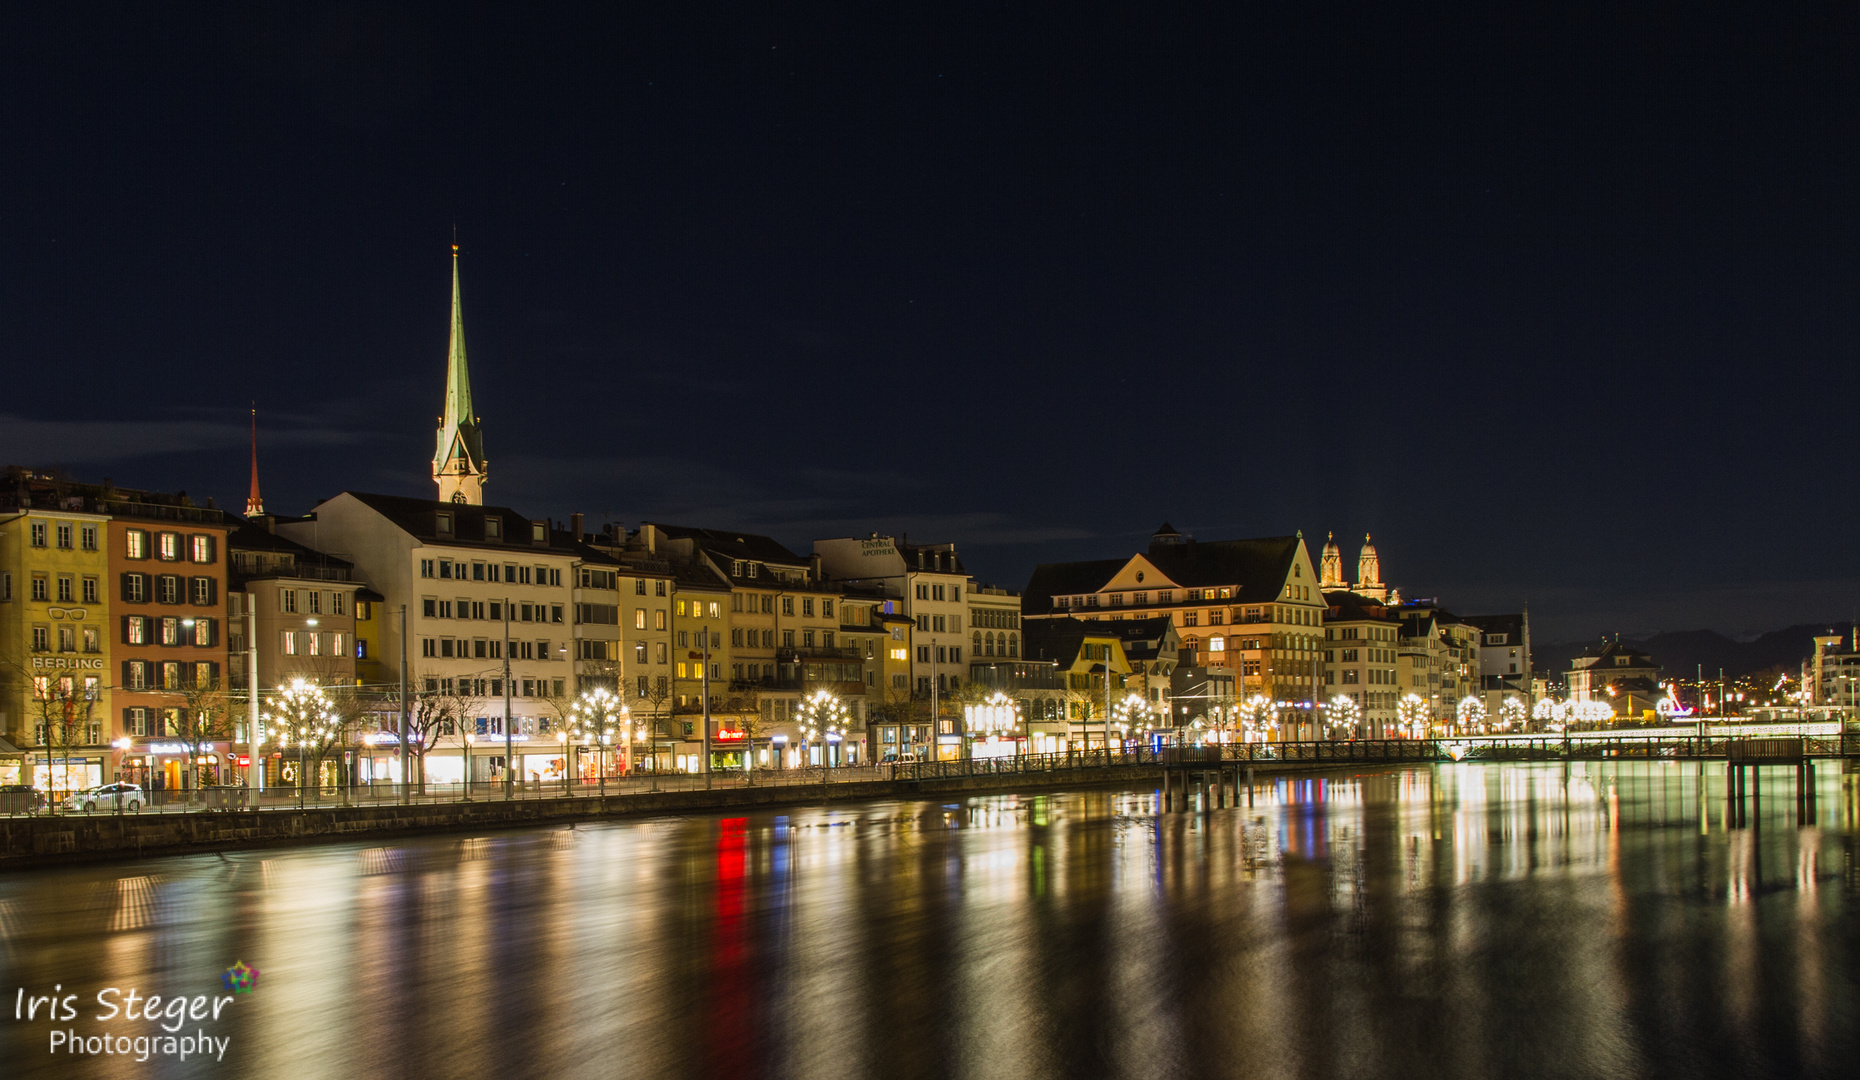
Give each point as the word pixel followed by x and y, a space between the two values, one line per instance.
pixel 44 841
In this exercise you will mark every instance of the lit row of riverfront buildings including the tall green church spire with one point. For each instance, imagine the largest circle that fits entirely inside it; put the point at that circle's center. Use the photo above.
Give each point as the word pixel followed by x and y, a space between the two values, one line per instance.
pixel 124 611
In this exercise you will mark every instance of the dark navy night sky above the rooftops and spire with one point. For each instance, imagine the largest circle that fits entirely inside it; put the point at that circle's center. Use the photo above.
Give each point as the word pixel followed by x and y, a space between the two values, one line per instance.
pixel 1561 308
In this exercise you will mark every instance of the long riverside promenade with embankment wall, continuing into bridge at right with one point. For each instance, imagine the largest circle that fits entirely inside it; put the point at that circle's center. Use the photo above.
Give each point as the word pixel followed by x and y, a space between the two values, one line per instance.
pixel 226 819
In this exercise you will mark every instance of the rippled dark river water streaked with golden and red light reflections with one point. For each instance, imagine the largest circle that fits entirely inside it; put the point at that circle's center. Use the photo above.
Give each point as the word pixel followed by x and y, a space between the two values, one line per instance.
pixel 1457 921
